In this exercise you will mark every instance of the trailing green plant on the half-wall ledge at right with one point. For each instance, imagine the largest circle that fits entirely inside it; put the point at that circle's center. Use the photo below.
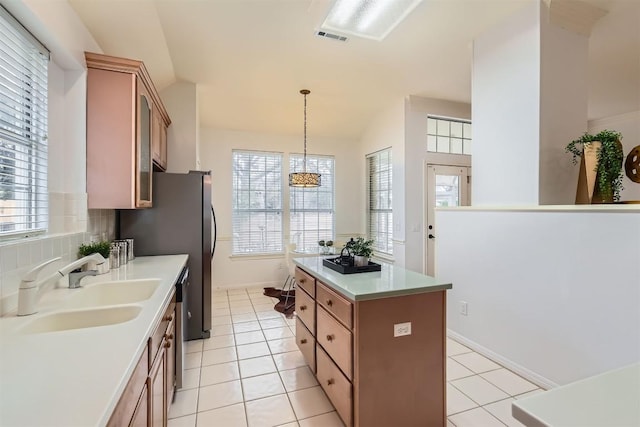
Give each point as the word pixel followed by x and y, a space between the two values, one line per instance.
pixel 608 168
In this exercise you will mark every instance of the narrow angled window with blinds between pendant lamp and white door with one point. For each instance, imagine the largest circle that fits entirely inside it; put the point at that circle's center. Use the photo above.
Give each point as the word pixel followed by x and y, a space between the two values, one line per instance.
pixel 380 213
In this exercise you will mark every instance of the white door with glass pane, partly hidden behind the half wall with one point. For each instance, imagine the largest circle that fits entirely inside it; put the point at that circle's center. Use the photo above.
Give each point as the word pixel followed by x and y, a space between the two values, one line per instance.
pixel 446 186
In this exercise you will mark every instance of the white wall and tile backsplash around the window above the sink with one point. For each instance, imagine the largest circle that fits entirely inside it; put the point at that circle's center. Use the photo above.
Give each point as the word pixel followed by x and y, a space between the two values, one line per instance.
pixel 58 27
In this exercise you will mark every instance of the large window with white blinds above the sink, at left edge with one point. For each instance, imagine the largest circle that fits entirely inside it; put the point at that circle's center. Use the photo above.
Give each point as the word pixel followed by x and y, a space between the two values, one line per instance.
pixel 23 130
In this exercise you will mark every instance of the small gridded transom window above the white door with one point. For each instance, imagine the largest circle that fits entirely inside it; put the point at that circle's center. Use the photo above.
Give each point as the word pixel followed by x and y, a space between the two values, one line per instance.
pixel 446 135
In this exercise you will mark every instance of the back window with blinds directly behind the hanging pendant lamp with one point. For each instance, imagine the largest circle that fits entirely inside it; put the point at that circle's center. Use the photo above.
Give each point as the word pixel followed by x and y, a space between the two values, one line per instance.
pixel 311 210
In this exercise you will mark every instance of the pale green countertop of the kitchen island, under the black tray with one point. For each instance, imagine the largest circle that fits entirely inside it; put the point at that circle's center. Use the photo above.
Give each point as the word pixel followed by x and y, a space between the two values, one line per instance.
pixel 391 281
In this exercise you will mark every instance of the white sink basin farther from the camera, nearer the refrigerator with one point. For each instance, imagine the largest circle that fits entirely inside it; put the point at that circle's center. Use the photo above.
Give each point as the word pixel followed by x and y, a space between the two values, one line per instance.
pixel 113 293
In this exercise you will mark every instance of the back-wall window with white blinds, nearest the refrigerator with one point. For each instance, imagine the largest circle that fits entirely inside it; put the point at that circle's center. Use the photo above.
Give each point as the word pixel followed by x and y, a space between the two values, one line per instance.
pixel 257 202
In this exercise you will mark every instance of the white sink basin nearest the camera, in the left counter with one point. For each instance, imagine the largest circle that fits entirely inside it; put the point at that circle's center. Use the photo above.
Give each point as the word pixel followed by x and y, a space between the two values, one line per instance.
pixel 67 320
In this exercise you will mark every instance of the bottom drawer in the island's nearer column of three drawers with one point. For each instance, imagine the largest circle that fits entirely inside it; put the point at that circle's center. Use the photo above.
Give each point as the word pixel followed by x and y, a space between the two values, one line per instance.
pixel 336 386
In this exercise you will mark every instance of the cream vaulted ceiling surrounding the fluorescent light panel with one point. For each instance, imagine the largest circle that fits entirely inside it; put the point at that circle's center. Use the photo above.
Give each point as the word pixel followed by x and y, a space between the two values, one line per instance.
pixel 250 58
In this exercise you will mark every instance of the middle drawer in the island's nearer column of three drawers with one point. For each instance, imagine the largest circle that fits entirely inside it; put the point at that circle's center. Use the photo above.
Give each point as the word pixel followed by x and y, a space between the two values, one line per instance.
pixel 336 340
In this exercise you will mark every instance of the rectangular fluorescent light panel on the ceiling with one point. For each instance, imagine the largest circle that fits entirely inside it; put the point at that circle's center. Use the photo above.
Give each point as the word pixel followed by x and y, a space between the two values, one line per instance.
pixel 372 19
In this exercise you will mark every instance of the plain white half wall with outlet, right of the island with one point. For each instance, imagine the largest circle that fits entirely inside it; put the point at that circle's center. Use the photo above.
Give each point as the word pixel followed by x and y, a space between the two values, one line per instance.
pixel 554 295
